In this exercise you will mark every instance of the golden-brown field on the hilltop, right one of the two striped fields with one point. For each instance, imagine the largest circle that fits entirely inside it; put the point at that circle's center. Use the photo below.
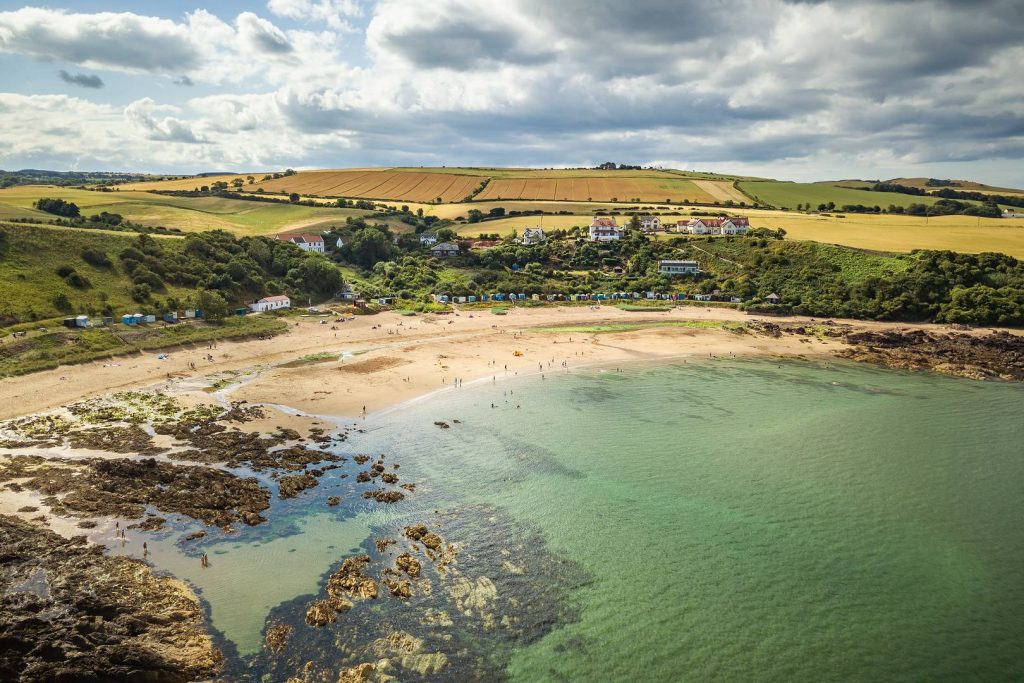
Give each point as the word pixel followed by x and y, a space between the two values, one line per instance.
pixel 600 189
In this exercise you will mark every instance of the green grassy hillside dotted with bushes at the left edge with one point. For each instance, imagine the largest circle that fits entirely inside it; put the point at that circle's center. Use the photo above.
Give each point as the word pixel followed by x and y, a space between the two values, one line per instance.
pixel 29 282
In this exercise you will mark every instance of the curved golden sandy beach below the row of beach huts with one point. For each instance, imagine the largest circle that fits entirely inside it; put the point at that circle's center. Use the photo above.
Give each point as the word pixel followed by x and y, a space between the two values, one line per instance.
pixel 387 360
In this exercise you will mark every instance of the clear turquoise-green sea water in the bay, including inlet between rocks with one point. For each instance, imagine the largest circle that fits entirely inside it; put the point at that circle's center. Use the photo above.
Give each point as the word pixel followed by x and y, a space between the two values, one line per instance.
pixel 735 521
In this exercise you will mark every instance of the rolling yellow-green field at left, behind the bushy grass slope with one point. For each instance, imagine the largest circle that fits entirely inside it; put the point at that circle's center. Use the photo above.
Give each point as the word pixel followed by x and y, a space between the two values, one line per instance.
pixel 190 215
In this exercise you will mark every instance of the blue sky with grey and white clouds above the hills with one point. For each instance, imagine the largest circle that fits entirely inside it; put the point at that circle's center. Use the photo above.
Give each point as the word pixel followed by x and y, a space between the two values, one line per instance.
pixel 790 90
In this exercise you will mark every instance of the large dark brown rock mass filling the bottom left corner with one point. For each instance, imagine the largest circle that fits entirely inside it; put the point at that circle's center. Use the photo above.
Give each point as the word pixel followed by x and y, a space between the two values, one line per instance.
pixel 68 613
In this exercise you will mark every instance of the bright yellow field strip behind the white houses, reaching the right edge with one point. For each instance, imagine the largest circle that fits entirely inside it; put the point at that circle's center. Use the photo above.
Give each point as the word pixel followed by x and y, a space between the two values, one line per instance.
pixel 888 234
